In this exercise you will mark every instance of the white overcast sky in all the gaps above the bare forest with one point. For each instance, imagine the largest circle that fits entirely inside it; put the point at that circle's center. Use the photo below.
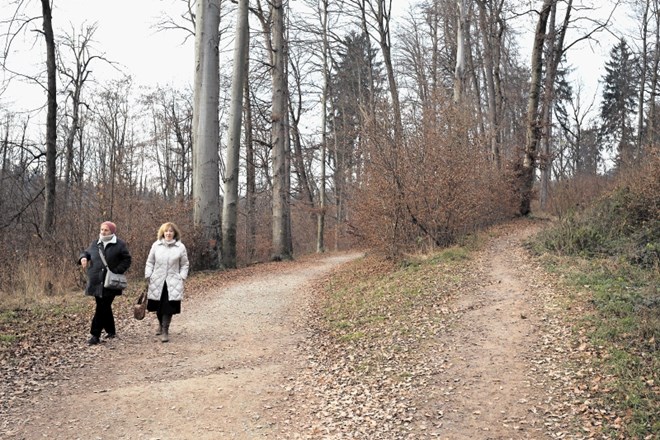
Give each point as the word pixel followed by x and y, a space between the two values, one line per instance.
pixel 126 35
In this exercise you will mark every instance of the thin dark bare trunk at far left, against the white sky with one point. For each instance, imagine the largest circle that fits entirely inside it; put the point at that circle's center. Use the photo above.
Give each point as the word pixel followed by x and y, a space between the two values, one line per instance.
pixel 48 221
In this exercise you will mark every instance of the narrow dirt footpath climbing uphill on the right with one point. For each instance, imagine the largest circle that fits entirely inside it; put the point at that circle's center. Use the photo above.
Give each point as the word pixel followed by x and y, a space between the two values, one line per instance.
pixel 493 394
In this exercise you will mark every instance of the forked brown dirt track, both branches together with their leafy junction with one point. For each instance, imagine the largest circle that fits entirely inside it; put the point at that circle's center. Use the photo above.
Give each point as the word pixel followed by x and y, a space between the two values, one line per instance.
pixel 242 363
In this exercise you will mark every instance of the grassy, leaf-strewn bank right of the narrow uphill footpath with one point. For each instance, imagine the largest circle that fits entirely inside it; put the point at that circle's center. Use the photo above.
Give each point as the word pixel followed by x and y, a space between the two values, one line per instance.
pixel 609 252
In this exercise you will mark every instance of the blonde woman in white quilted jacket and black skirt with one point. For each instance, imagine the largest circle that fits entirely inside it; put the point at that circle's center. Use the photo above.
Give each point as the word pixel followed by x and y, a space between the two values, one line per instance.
pixel 166 269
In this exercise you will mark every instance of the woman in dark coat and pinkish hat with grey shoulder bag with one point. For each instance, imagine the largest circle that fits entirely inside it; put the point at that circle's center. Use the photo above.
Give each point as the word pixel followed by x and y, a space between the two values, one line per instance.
pixel 119 260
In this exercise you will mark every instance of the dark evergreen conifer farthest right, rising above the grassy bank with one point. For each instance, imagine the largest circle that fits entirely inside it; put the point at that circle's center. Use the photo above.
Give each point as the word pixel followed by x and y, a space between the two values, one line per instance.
pixel 619 102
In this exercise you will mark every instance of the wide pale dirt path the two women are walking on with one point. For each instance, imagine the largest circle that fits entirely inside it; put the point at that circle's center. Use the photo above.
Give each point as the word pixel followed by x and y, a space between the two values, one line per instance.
pixel 223 370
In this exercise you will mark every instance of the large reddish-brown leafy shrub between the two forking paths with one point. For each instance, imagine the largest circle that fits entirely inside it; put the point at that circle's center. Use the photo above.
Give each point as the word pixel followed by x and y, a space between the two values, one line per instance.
pixel 436 187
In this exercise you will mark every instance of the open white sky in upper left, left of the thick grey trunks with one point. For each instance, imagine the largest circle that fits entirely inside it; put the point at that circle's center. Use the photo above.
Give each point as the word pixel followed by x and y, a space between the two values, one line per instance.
pixel 125 35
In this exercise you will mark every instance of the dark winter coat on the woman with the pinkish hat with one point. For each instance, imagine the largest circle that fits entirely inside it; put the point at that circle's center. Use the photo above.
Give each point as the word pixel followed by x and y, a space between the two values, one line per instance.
pixel 118 258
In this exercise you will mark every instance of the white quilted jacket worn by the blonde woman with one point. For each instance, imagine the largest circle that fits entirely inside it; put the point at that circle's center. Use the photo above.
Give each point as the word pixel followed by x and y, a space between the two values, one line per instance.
pixel 166 263
